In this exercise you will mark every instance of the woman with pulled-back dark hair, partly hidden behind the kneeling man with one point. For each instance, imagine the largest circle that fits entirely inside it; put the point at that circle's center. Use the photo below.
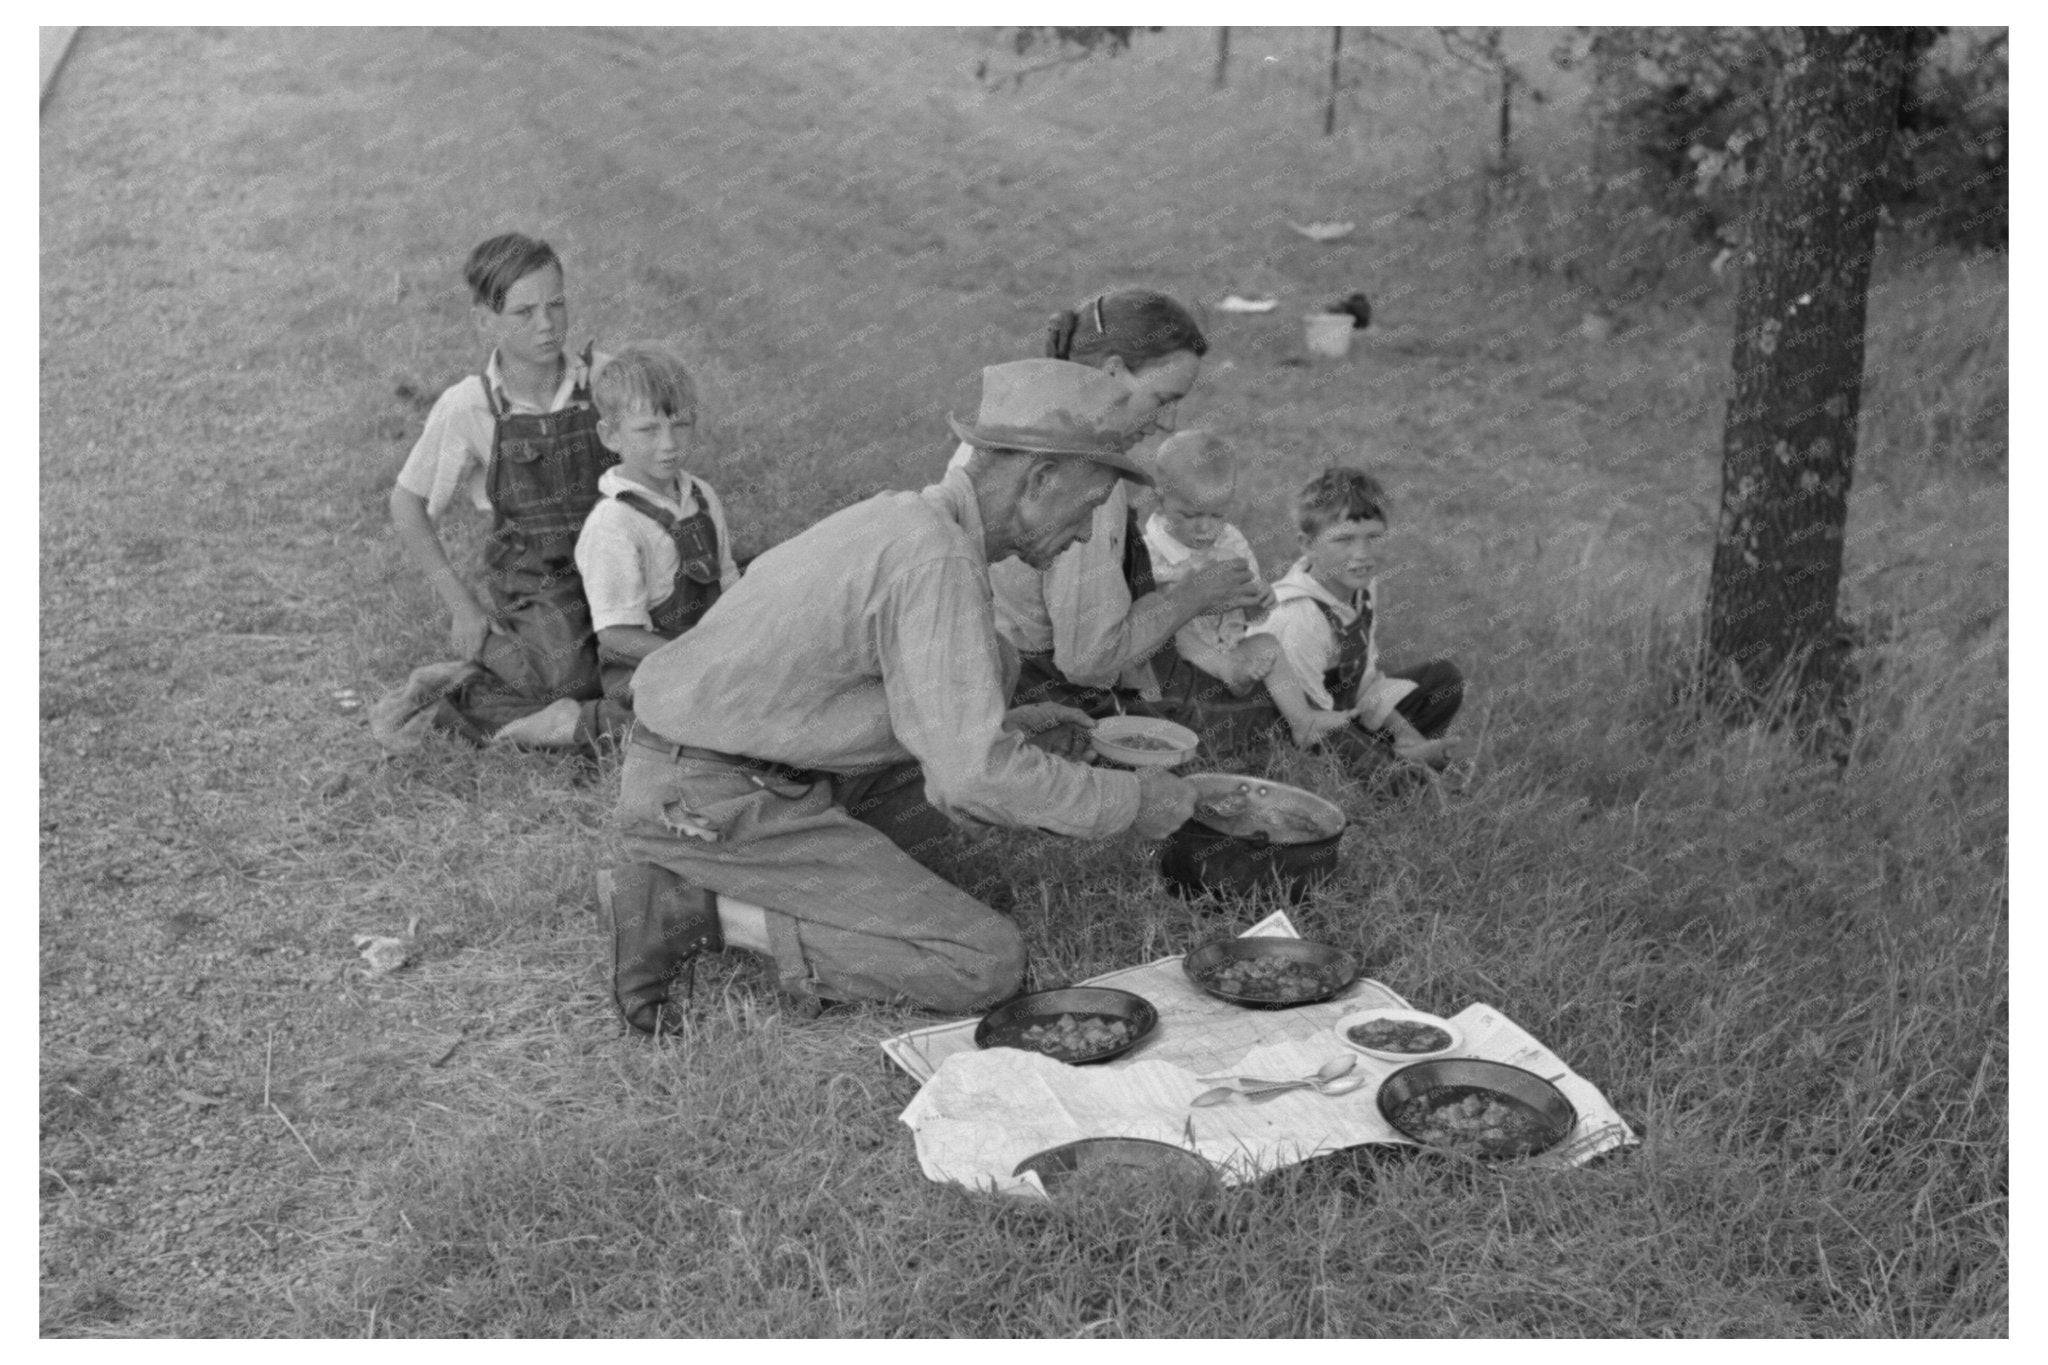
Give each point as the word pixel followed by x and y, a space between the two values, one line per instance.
pixel 1097 631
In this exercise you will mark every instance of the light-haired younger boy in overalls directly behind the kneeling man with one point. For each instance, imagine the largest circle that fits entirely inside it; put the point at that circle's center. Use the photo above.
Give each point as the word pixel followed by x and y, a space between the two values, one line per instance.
pixel 654 552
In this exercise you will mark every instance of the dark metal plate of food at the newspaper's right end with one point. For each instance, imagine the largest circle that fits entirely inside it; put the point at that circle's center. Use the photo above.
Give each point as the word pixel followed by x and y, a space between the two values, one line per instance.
pixel 1486 1110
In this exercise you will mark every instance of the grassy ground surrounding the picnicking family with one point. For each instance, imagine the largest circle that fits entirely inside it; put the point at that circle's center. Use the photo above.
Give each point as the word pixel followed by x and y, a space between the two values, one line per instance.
pixel 1791 979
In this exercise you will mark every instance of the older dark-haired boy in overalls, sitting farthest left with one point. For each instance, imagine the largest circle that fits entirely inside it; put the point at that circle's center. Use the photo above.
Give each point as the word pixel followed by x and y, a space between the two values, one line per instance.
pixel 521 441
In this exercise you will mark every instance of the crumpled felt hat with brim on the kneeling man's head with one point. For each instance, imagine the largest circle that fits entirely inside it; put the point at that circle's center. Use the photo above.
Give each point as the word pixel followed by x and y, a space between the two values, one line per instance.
pixel 1056 408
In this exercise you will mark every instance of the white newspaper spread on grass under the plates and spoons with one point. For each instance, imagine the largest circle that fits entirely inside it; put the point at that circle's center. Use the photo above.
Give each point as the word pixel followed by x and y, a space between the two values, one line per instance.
pixel 982 1112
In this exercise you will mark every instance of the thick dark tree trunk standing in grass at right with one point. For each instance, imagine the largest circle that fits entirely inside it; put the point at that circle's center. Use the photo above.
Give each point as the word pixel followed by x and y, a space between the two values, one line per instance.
pixel 1799 367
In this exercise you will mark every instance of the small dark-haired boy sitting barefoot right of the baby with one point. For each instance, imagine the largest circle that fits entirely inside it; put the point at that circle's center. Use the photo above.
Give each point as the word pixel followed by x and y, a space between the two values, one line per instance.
pixel 1328 629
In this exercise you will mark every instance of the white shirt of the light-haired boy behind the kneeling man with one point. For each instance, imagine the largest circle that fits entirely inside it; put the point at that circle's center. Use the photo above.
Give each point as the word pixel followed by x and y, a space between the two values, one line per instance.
pixel 626 558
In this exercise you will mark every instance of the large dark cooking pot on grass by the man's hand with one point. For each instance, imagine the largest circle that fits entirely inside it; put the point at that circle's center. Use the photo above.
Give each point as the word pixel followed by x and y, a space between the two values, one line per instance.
pixel 1252 836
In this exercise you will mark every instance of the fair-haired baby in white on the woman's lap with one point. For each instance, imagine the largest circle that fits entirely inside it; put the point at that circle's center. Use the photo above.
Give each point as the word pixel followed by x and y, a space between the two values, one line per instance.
pixel 1197 482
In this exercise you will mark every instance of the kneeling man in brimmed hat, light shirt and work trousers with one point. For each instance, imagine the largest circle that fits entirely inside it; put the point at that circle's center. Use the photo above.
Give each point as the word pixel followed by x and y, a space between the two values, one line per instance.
pixel 847 703
